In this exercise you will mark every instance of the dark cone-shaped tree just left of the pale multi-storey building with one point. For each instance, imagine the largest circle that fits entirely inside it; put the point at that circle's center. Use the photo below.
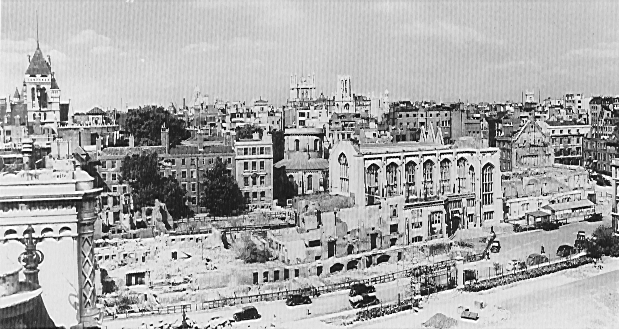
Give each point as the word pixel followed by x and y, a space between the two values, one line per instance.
pixel 222 195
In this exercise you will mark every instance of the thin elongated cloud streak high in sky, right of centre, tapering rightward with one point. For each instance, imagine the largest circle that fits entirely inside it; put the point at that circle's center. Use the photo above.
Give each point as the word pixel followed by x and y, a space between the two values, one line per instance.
pixel 451 32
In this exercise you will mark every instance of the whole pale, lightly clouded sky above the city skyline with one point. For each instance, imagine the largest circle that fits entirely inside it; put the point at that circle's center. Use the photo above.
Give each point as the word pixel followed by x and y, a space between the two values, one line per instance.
pixel 113 53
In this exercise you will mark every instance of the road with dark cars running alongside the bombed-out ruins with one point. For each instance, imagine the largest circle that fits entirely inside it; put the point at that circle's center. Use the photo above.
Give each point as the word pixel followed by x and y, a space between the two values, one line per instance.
pixel 513 246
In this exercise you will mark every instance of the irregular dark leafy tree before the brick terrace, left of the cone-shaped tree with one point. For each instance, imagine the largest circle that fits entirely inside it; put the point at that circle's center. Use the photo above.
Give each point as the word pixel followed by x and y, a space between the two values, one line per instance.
pixel 147 184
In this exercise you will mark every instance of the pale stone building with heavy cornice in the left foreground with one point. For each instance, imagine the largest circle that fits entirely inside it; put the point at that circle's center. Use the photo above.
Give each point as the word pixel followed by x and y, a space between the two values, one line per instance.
pixel 60 203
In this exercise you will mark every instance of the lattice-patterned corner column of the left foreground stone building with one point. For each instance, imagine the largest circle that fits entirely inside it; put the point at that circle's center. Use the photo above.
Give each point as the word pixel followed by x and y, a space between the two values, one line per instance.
pixel 86 269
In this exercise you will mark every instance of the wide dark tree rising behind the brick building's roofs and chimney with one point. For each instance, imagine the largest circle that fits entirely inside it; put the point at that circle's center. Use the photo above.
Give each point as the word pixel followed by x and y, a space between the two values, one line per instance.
pixel 145 124
